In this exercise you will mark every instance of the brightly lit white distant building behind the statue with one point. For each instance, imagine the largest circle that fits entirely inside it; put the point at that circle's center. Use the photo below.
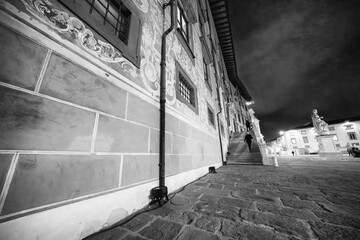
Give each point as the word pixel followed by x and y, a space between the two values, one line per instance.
pixel 302 139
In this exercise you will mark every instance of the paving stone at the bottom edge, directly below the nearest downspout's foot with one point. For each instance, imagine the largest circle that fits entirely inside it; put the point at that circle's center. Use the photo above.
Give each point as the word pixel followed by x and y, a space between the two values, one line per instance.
pixel 161 230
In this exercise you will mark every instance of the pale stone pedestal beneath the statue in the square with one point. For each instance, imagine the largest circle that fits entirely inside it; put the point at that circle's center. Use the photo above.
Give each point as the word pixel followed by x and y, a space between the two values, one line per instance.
pixel 327 147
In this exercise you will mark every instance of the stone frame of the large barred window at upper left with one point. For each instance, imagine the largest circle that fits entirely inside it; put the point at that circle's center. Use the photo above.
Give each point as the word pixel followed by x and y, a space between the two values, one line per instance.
pixel 129 49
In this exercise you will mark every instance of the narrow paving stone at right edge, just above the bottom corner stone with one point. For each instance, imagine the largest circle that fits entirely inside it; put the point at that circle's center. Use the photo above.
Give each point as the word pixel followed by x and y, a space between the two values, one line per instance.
pixel 339 219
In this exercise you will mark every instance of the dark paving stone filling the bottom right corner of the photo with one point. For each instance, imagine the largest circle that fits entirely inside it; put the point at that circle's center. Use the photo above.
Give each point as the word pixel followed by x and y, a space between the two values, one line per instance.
pixel 328 231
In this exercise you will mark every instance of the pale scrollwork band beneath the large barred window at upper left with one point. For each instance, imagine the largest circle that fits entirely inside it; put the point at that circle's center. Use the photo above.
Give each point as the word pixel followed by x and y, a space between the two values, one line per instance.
pixel 73 27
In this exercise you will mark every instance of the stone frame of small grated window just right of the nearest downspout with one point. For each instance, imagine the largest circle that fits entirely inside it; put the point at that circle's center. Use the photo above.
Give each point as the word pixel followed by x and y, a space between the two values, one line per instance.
pixel 181 75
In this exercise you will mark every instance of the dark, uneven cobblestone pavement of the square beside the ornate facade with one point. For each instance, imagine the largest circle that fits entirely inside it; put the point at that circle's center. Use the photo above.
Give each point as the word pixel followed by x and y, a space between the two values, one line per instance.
pixel 301 199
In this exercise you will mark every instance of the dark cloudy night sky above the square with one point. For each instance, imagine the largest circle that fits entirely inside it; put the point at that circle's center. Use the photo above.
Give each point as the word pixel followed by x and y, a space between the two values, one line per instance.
pixel 297 55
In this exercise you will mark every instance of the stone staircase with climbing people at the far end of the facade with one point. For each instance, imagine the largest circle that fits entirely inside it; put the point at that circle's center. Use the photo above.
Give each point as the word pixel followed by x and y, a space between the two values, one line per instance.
pixel 238 152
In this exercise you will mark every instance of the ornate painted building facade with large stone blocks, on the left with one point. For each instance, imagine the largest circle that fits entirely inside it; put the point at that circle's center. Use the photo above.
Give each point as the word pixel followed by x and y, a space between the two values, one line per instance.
pixel 80 87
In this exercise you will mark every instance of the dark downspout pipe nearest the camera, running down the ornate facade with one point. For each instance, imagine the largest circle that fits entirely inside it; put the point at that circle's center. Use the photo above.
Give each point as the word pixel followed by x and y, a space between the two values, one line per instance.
pixel 159 193
